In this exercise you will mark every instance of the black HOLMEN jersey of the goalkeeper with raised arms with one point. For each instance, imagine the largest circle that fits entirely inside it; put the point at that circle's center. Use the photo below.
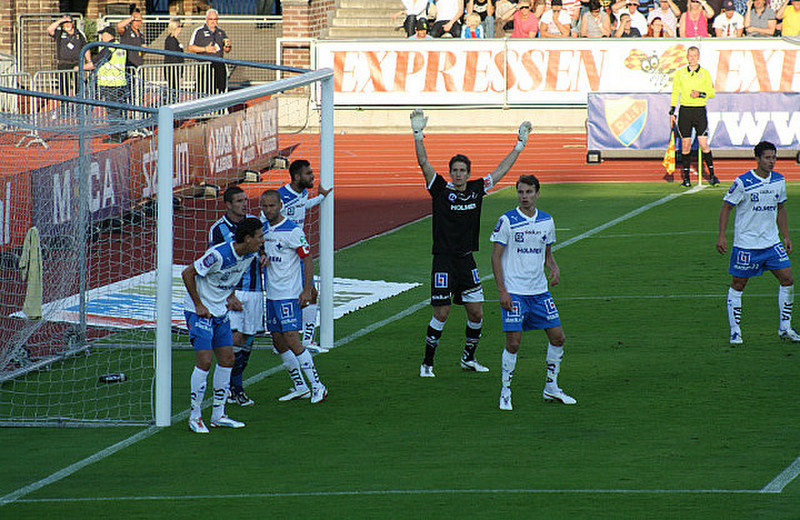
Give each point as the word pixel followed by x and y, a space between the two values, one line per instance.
pixel 457 216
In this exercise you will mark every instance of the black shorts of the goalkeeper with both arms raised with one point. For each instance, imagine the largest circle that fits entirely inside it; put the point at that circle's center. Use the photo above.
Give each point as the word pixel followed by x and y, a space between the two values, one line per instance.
pixel 455 279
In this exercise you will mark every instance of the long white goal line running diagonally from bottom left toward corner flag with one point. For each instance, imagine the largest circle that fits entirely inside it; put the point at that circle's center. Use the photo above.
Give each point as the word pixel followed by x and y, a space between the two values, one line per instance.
pixel 152 430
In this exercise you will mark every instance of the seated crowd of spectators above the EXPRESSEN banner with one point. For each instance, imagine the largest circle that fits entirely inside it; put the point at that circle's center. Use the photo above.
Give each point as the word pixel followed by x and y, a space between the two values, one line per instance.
pixel 599 18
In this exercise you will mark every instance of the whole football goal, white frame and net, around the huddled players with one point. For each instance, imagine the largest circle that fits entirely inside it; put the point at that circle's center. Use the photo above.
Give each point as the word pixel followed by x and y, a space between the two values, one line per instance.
pixel 102 205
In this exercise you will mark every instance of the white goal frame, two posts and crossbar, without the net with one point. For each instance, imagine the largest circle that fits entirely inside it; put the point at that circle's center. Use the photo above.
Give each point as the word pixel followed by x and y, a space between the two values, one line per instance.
pixel 167 115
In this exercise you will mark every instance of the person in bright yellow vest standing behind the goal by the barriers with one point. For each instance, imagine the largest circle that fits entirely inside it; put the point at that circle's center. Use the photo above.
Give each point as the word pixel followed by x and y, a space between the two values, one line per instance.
pixel 111 80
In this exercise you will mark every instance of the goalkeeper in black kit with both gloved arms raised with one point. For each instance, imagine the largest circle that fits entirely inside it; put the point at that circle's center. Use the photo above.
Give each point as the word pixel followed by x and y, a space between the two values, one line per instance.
pixel 456 229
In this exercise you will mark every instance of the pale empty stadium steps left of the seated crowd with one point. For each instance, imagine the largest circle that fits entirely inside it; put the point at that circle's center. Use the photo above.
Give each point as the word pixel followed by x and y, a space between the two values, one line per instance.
pixel 356 19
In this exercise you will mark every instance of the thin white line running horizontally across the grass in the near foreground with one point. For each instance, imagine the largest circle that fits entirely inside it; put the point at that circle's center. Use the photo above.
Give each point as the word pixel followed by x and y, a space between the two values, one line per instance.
pixel 398 492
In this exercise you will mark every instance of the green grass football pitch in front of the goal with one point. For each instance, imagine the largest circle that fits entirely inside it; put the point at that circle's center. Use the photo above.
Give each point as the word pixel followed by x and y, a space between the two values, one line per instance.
pixel 671 421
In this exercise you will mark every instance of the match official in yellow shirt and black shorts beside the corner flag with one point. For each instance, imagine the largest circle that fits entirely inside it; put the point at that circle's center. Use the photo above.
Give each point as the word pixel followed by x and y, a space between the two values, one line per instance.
pixel 694 87
